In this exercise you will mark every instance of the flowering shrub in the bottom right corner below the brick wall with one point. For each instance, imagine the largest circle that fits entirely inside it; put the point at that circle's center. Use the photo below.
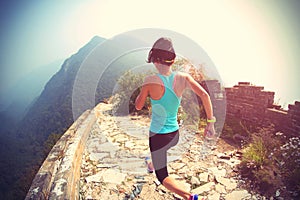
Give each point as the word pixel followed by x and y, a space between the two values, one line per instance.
pixel 271 162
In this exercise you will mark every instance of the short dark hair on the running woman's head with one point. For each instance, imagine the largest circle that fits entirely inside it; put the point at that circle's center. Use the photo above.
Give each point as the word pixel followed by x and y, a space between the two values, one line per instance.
pixel 162 52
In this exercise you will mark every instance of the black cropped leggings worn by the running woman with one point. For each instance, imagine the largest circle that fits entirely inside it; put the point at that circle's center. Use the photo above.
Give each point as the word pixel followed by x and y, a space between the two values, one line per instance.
pixel 159 145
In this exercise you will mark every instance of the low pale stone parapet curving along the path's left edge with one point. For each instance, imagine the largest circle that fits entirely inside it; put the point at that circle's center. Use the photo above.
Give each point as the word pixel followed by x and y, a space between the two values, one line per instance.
pixel 58 177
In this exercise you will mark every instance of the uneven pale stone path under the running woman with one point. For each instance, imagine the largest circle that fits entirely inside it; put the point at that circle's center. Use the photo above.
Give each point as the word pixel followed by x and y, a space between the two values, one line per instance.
pixel 113 164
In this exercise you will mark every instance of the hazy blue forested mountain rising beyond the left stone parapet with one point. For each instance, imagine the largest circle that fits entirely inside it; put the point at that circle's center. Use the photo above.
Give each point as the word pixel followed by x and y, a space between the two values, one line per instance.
pixel 94 69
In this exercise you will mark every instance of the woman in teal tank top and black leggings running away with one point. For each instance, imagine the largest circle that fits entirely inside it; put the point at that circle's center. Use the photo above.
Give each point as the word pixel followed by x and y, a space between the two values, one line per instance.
pixel 165 91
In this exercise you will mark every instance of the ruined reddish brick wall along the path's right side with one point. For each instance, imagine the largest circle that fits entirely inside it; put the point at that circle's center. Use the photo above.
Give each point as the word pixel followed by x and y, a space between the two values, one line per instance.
pixel 253 105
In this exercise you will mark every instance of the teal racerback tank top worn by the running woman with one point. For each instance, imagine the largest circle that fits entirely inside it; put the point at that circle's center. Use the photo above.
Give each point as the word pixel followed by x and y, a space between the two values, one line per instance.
pixel 164 110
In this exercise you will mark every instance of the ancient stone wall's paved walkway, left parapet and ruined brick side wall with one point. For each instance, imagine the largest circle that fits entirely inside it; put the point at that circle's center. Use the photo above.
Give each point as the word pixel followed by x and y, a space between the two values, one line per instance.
pixel 85 162
